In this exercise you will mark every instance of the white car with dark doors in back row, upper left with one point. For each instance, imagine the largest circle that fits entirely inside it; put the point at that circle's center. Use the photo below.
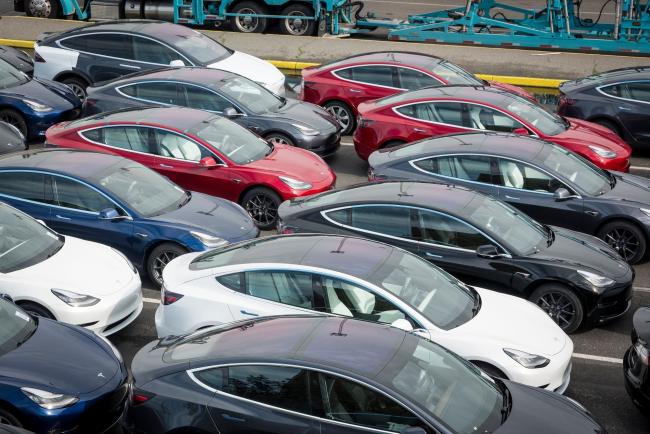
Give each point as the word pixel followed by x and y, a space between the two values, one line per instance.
pixel 106 50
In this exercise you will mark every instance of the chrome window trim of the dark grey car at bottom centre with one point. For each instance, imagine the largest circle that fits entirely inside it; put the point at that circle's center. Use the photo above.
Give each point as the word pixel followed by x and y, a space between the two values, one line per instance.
pixel 190 373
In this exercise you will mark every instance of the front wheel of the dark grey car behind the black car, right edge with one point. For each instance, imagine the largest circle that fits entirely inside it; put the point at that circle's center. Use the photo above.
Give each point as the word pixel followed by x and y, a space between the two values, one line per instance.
pixel 626 238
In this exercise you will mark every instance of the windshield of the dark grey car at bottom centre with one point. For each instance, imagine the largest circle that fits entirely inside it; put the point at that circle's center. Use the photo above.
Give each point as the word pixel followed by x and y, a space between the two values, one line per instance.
pixel 451 389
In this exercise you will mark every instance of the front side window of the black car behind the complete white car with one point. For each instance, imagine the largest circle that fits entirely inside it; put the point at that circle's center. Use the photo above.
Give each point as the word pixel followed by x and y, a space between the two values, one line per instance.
pixel 441 229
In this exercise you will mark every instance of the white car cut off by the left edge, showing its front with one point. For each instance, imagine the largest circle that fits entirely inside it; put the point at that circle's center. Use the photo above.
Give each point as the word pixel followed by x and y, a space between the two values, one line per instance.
pixel 65 278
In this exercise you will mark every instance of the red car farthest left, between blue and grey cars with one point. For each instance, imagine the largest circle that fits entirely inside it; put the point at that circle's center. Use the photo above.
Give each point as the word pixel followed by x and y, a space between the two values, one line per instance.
pixel 203 152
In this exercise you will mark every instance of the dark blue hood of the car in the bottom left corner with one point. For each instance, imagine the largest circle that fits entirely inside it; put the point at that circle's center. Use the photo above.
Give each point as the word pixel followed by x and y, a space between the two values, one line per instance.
pixel 60 358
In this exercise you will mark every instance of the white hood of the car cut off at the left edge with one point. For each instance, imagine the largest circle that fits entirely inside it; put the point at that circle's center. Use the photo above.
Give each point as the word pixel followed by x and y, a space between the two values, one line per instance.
pixel 83 267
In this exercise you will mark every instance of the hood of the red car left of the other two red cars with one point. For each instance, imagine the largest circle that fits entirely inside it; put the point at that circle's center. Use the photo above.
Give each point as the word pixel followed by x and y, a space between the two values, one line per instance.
pixel 295 163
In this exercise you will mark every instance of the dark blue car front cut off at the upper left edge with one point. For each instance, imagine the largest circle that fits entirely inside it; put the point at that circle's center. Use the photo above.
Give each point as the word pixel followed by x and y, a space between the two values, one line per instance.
pixel 33 105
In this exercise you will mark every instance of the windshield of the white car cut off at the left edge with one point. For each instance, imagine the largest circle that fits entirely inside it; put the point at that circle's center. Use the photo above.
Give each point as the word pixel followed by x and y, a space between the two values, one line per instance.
pixel 24 241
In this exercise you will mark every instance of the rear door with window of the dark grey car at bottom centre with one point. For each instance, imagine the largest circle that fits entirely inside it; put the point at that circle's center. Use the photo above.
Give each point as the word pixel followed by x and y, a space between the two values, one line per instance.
pixel 262 399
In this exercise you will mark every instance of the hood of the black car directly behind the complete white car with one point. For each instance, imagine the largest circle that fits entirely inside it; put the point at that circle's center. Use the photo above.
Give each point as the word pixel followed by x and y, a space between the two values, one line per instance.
pixel 582 251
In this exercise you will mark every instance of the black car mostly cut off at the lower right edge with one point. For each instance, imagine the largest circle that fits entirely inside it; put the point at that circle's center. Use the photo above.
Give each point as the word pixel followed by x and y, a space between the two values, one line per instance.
pixel 636 363
